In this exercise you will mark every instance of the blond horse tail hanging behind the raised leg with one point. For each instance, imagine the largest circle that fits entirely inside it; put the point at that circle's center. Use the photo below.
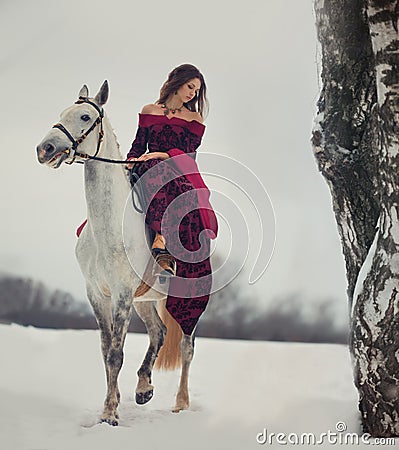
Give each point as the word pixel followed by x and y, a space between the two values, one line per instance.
pixel 169 357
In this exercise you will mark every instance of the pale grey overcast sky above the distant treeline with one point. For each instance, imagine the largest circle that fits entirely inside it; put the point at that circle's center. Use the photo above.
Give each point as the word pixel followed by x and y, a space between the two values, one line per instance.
pixel 259 61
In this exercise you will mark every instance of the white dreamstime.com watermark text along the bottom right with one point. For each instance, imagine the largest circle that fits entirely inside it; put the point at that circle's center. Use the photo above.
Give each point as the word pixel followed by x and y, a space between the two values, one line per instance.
pixel 338 437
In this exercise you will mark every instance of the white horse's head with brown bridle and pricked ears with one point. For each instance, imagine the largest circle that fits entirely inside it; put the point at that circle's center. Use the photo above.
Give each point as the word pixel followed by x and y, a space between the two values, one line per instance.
pixel 75 130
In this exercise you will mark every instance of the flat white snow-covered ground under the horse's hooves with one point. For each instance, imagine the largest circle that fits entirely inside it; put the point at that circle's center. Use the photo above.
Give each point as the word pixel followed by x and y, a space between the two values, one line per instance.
pixel 52 387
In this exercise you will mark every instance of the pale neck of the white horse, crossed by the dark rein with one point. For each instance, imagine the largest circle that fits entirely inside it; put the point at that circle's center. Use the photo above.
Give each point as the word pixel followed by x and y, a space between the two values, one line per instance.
pixel 106 186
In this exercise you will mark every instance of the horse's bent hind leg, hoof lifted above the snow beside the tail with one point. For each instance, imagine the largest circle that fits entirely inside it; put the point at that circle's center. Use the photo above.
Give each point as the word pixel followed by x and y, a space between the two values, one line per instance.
pixel 156 332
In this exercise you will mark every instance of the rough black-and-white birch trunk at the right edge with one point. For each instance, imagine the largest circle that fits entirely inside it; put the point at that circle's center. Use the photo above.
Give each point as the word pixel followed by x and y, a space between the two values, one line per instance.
pixel 356 145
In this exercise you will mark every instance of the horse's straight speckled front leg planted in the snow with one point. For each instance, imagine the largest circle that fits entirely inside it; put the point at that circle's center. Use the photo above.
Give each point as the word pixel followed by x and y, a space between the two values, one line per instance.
pixel 114 360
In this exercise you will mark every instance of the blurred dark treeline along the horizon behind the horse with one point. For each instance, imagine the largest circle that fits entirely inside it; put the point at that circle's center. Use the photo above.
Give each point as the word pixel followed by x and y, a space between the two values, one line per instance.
pixel 230 314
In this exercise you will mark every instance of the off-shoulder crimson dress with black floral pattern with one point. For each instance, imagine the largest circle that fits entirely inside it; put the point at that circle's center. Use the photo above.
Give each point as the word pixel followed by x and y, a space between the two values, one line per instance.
pixel 177 206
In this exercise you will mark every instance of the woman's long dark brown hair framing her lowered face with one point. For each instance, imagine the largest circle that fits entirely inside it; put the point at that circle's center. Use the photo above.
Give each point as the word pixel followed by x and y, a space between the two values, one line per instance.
pixel 179 76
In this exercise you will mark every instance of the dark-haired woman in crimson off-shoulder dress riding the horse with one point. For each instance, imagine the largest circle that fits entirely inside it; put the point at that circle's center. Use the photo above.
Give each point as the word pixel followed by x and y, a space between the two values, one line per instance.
pixel 175 196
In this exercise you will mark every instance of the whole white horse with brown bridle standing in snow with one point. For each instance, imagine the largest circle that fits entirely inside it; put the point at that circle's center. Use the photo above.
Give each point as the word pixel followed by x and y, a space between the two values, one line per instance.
pixel 102 251
